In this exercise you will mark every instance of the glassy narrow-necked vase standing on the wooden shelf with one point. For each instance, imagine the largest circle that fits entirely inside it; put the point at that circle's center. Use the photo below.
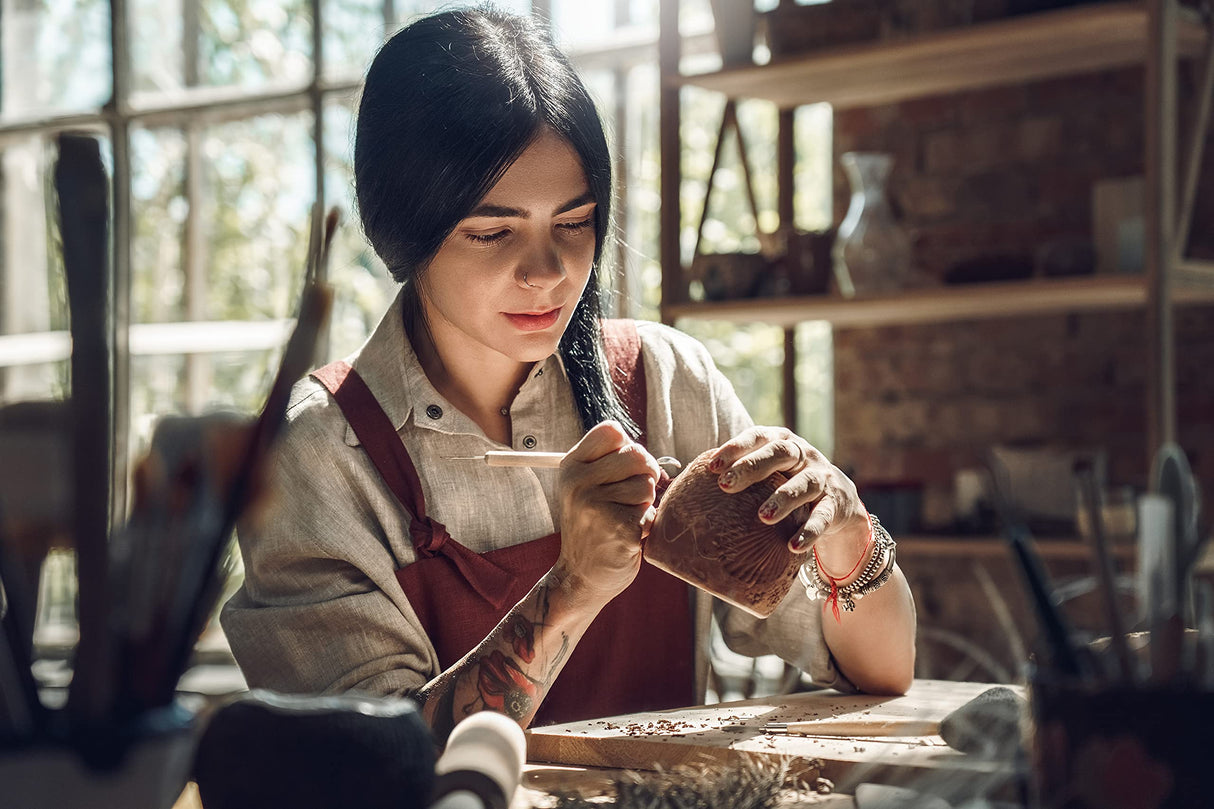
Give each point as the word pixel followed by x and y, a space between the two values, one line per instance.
pixel 872 252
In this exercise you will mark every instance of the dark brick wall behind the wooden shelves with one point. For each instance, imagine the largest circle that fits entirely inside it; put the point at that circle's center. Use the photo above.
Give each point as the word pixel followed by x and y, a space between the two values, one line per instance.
pixel 1007 172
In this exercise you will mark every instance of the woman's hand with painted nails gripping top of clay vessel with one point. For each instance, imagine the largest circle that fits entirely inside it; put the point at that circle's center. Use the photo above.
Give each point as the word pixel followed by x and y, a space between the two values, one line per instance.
pixel 815 485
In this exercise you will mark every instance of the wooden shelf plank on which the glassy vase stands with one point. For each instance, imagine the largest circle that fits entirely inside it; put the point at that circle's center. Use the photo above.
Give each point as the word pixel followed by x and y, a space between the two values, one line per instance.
pixel 940 304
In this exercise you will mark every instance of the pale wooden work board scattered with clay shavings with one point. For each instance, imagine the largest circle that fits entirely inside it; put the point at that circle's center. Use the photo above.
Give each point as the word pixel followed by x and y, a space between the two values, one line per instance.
pixel 586 757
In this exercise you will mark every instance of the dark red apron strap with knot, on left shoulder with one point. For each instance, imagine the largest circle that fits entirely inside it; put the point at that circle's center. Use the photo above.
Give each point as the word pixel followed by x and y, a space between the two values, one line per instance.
pixel 390 459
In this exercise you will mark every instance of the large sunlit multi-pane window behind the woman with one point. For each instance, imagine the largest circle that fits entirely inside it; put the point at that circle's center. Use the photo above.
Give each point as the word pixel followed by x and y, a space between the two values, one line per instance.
pixel 230 118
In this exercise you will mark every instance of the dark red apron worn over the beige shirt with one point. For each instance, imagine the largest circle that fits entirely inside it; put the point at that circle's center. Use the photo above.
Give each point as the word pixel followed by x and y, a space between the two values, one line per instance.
pixel 638 654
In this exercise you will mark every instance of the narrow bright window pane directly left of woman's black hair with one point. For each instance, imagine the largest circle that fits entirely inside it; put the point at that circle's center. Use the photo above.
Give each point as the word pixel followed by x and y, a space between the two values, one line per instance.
pixel 362 286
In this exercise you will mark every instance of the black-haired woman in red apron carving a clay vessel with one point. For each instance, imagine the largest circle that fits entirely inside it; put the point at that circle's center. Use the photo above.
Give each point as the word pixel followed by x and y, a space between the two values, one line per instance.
pixel 389 565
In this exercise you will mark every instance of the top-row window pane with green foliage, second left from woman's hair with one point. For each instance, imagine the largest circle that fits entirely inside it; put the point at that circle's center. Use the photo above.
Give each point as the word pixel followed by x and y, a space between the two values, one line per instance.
pixel 249 43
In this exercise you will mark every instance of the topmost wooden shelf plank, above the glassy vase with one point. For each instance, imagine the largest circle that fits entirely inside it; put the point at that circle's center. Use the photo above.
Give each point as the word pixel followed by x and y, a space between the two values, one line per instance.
pixel 1022 49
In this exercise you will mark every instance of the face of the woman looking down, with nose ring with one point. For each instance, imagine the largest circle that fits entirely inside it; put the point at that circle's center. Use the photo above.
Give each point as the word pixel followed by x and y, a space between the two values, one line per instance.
pixel 509 276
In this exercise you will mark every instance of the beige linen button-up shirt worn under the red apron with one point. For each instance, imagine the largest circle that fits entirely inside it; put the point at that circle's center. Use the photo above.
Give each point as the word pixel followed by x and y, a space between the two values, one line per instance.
pixel 321 609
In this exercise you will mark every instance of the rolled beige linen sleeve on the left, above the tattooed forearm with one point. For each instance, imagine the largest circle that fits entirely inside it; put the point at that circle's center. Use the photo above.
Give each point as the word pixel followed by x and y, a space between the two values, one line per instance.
pixel 320 609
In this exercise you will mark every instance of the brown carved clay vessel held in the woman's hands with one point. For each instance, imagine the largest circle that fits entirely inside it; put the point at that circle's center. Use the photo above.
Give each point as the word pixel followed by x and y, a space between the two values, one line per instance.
pixel 716 541
